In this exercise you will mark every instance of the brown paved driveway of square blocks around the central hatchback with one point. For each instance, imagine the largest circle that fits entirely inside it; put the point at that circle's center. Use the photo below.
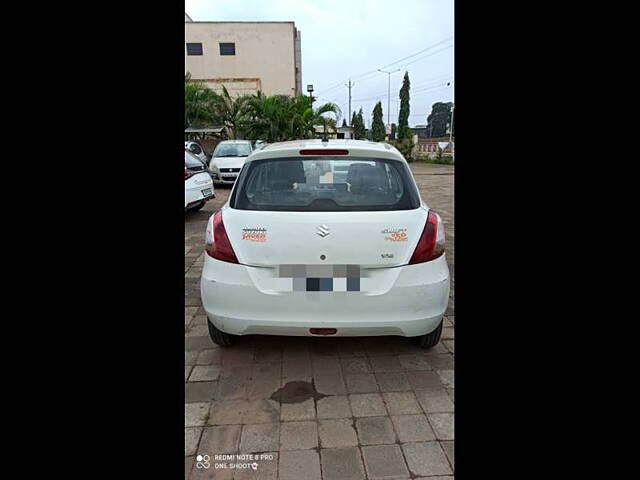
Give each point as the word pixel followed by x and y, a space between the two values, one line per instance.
pixel 341 408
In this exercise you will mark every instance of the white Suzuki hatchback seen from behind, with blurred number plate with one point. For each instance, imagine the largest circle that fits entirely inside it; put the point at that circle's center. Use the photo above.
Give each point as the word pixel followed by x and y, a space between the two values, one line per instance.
pixel 325 238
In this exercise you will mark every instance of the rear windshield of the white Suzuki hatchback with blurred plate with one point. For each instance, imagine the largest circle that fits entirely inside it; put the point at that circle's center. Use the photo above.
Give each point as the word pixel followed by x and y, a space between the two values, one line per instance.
pixel 325 184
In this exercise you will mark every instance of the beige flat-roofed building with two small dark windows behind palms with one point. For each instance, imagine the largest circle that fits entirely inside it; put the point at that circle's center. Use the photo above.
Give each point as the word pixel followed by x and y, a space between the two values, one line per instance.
pixel 245 57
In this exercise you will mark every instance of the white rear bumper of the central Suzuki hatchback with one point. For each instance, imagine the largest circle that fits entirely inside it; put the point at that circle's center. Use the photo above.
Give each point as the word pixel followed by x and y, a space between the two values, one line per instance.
pixel 414 305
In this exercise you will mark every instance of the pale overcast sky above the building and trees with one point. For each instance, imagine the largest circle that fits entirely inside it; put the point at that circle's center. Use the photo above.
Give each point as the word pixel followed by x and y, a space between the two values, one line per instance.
pixel 344 39
